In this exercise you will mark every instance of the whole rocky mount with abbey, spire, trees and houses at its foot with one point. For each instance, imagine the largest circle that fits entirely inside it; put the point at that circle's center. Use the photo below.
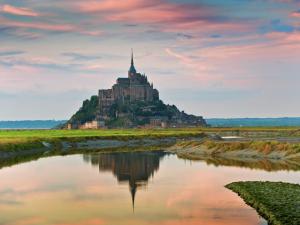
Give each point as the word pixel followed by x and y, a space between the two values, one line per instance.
pixel 131 102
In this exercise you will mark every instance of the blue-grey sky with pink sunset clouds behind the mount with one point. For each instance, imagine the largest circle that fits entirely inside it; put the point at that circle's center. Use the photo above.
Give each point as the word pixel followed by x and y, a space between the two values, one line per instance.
pixel 215 58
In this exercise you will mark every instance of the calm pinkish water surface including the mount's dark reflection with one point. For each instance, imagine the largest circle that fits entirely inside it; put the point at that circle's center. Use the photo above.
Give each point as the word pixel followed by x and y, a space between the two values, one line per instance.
pixel 126 188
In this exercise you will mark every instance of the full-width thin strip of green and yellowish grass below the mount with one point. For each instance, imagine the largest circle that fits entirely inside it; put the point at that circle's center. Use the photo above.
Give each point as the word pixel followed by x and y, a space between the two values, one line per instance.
pixel 11 139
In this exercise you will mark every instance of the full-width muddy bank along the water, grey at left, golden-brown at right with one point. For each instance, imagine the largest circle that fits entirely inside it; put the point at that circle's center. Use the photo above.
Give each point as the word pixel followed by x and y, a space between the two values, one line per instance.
pixel 211 148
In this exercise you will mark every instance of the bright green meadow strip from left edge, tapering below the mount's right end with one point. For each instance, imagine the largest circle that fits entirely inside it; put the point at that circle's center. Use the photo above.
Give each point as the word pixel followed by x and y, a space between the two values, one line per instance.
pixel 24 139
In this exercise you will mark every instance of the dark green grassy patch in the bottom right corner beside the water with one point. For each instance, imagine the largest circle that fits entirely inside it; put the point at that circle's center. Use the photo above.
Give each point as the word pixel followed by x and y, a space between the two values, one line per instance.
pixel 277 202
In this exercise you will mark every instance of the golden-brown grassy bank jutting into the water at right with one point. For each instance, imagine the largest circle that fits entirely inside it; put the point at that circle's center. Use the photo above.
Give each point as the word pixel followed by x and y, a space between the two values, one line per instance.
pixel 262 155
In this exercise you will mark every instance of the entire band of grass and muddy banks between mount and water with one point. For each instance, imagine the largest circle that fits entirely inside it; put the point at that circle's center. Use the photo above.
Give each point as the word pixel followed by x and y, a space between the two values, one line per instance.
pixel 254 149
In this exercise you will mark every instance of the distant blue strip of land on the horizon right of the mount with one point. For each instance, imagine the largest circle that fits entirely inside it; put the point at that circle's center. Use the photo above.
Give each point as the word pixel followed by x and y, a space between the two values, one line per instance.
pixel 255 122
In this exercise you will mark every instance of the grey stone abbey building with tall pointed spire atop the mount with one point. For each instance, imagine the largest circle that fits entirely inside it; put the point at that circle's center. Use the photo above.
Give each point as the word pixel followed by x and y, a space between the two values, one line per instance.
pixel 135 87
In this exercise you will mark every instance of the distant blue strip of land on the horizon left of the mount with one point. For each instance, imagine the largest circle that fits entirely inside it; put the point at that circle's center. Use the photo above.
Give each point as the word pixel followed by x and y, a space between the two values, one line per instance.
pixel 30 124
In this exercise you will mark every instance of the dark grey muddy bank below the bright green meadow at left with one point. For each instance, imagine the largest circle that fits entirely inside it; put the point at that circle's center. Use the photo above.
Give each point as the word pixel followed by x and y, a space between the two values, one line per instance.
pixel 46 149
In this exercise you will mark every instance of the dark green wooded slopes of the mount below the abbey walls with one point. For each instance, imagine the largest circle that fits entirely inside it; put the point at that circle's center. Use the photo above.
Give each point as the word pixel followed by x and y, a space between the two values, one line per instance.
pixel 132 114
